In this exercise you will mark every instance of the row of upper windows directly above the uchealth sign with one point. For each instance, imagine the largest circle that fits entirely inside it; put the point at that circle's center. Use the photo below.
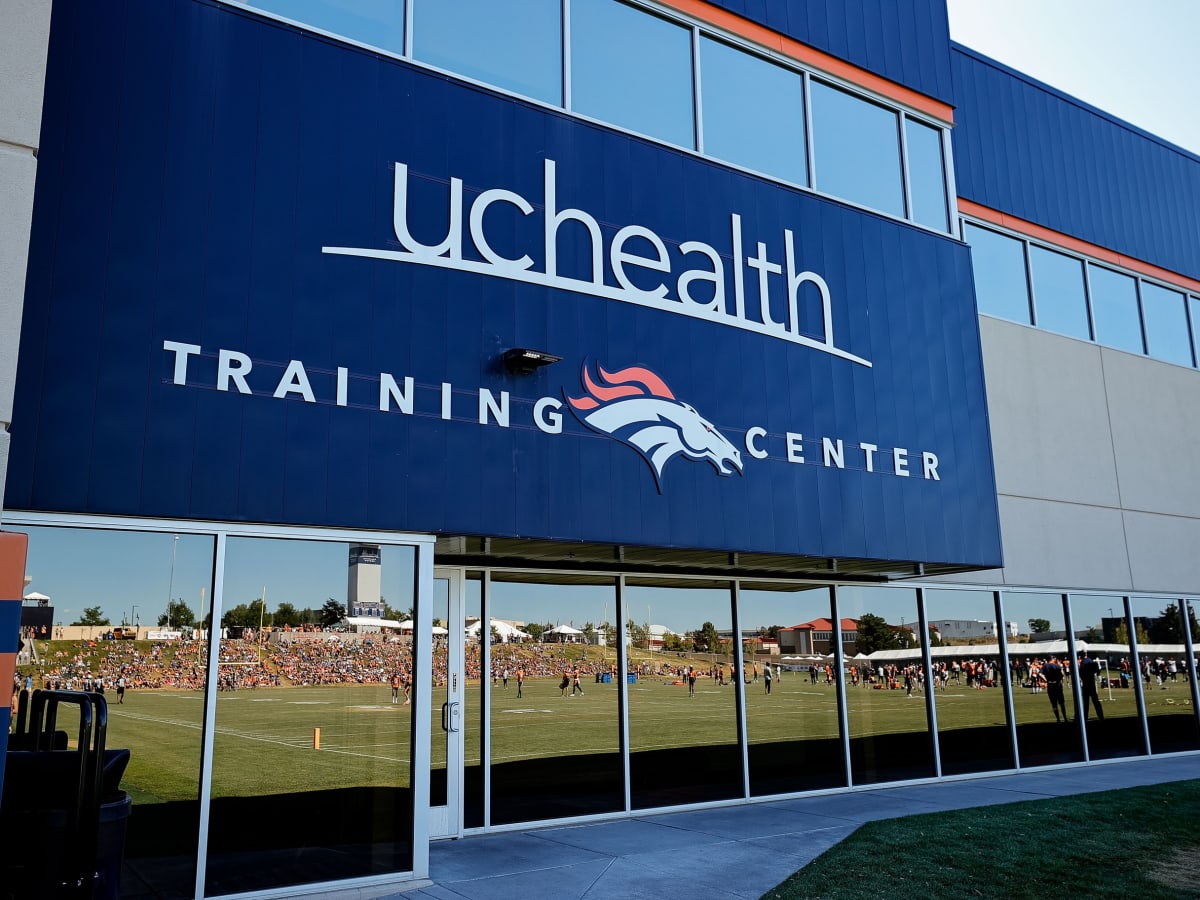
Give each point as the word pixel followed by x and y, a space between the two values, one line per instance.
pixel 627 67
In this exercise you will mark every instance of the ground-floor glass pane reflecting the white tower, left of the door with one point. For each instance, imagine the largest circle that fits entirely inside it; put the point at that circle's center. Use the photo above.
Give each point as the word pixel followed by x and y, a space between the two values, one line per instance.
pixel 313 748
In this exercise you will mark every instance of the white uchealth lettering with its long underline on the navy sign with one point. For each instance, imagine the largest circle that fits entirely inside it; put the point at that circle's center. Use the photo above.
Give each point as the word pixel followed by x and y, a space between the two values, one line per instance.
pixel 689 279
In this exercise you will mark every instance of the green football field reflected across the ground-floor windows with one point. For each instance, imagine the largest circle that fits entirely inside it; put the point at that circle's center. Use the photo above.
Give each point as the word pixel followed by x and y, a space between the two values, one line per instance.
pixel 265 739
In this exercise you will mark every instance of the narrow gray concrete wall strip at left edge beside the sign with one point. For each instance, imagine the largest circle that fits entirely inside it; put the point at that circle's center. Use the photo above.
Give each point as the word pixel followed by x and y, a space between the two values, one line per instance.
pixel 25 38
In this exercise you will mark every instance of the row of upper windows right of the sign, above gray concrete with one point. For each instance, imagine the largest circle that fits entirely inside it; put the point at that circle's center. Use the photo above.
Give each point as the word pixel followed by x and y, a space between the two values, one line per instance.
pixel 1083 299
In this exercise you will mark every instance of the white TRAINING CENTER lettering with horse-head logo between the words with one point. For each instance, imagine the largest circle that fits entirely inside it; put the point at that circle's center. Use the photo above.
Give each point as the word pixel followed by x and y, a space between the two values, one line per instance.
pixel 632 405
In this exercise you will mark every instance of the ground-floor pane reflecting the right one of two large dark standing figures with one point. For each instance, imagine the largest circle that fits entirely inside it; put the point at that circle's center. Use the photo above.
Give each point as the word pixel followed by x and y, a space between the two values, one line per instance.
pixel 1106 677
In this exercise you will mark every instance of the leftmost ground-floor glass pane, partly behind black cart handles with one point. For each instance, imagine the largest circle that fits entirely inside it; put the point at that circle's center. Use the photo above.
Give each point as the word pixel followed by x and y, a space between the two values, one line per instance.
pixel 100 581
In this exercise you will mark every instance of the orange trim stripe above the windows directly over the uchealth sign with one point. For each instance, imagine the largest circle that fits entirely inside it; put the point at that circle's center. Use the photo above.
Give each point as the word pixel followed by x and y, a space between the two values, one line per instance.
pixel 812 57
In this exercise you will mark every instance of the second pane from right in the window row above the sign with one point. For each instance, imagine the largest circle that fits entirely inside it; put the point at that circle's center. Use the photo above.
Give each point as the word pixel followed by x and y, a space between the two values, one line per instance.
pixel 856 146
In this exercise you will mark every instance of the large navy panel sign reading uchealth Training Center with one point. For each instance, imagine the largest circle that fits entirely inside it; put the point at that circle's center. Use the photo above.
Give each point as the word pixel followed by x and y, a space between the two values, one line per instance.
pixel 305 266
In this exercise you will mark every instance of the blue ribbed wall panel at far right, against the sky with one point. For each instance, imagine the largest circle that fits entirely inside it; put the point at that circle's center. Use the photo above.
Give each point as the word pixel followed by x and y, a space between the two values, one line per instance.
pixel 1035 153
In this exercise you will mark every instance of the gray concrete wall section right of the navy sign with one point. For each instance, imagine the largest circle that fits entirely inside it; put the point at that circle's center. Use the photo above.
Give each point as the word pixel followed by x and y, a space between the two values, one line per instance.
pixel 1096 465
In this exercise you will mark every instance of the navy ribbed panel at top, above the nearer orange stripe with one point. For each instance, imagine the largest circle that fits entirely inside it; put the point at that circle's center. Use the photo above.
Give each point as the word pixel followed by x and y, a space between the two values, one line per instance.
pixel 905 43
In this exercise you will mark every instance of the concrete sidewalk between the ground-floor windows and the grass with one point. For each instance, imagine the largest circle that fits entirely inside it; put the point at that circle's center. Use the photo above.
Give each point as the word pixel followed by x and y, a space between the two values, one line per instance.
pixel 734 851
